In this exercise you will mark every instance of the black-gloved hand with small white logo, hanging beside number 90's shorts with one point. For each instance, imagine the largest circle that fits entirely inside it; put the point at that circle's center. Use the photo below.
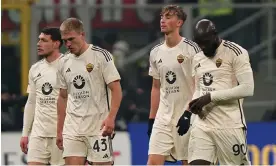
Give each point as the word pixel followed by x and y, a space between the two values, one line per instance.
pixel 184 123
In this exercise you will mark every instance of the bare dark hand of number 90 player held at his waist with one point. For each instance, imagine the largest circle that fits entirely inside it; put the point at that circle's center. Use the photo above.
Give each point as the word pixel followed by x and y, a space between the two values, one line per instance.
pixel 196 105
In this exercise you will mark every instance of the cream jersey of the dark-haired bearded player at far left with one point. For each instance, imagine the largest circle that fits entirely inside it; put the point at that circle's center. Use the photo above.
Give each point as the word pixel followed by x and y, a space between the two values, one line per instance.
pixel 43 82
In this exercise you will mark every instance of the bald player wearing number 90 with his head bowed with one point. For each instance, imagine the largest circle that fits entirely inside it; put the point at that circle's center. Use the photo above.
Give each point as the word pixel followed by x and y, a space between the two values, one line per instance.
pixel 223 77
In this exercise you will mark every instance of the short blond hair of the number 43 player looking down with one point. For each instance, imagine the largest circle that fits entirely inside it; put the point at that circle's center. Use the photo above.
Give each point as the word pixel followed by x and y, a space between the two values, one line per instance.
pixel 72 24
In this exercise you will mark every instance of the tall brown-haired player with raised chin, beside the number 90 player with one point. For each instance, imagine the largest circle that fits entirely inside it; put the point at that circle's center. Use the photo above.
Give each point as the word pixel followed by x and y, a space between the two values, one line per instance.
pixel 172 89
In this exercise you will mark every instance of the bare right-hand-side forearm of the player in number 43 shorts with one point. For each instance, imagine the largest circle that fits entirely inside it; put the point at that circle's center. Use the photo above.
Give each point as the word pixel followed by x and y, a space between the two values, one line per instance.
pixel 116 98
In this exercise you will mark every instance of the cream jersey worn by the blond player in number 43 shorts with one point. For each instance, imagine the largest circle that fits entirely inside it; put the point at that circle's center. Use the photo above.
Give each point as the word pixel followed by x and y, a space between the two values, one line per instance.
pixel 86 78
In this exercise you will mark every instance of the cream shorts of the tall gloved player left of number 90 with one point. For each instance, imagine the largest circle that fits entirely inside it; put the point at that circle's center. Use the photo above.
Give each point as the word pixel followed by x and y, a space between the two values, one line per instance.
pixel 166 141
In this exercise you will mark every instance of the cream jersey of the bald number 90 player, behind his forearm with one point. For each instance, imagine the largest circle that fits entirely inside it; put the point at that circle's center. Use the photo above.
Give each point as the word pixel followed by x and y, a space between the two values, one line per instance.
pixel 219 73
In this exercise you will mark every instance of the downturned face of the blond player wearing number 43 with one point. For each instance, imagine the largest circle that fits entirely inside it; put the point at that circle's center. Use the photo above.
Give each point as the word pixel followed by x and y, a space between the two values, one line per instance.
pixel 73 41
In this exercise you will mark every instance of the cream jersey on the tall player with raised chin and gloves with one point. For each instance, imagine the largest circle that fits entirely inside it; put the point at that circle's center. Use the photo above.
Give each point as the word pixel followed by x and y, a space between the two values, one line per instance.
pixel 173 67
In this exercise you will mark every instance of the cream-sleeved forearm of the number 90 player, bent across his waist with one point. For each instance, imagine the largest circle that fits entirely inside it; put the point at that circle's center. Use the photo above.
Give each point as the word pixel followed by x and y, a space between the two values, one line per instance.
pixel 244 89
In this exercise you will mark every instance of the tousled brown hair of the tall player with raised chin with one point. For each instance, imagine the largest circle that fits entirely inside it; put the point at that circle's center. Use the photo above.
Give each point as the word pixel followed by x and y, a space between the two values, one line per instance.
pixel 176 10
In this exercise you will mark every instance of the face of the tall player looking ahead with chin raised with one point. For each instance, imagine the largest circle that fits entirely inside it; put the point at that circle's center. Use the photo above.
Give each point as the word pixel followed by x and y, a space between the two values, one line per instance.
pixel 169 22
